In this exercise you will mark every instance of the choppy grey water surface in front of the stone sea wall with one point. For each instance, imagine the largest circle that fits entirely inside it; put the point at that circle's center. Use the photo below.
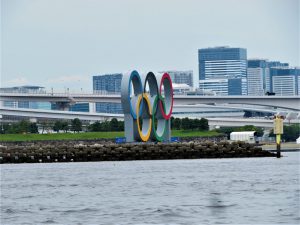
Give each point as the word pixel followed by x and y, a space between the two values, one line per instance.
pixel 248 190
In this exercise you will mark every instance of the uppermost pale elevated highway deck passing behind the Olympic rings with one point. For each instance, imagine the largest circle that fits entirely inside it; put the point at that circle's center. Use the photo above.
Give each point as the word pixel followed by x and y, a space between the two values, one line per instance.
pixel 285 102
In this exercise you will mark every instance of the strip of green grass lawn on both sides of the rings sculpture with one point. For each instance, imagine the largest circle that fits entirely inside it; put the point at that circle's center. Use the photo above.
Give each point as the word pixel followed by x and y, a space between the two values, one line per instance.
pixel 93 135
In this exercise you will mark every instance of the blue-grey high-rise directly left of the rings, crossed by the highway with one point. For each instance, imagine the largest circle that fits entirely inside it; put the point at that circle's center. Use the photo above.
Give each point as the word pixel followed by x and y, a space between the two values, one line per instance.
pixel 108 84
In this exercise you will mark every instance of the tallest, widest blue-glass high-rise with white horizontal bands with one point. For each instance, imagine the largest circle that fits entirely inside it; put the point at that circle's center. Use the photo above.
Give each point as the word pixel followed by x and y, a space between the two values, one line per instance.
pixel 225 63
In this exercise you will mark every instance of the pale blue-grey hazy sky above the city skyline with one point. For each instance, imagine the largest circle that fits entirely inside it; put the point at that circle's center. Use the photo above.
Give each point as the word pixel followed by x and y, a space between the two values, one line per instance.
pixel 61 44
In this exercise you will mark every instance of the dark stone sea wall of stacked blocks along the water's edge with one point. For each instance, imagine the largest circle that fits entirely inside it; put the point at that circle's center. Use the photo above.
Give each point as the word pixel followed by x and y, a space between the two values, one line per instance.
pixel 64 151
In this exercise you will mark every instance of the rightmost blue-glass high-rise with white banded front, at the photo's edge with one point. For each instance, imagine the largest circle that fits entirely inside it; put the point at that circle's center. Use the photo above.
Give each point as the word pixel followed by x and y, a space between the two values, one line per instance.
pixel 284 81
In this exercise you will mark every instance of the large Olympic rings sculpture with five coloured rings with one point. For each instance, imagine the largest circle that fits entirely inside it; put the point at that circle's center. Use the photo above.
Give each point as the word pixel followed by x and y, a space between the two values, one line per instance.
pixel 147 99
